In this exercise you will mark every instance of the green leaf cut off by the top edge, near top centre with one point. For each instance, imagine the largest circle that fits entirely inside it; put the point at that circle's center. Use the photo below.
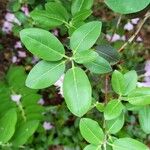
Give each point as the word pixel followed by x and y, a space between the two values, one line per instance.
pixel 79 5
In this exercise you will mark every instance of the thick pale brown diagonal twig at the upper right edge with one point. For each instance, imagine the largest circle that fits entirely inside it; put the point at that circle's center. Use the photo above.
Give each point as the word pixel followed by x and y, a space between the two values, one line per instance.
pixel 147 15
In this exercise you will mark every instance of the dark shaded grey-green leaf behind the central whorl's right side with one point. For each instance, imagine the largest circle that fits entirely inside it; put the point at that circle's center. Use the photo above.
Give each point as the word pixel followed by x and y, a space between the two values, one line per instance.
pixel 109 53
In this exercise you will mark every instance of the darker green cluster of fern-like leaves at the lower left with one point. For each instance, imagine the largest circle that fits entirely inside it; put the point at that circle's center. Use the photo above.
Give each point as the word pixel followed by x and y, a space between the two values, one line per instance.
pixel 17 121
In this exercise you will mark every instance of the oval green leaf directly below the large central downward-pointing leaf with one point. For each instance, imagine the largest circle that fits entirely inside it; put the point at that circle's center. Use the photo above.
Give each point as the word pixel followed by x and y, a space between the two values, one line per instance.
pixel 91 131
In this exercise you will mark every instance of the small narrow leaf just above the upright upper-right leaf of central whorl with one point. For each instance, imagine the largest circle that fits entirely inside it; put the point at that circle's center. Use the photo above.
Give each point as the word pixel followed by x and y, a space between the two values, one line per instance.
pixel 80 16
